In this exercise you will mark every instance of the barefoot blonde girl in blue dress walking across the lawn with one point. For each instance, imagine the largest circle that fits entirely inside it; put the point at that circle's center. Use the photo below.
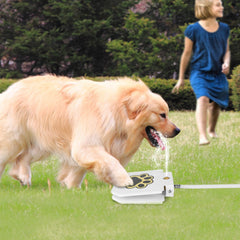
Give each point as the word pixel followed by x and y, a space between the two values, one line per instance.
pixel 207 45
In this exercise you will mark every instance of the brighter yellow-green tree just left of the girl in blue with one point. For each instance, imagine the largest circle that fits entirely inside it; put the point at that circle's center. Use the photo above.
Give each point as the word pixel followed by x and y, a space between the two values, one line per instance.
pixel 146 48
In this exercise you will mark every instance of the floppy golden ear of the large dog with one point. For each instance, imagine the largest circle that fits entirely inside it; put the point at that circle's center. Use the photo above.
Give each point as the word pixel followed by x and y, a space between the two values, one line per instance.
pixel 135 103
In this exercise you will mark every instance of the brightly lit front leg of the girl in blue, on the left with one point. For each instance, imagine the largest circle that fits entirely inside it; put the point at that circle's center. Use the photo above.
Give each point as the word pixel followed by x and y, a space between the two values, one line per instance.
pixel 201 118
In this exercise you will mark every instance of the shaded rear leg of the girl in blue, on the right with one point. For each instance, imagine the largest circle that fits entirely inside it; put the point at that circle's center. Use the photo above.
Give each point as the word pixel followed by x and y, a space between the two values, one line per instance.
pixel 214 111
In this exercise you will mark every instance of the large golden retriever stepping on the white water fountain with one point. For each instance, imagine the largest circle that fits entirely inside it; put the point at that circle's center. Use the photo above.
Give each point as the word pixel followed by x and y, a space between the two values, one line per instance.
pixel 90 126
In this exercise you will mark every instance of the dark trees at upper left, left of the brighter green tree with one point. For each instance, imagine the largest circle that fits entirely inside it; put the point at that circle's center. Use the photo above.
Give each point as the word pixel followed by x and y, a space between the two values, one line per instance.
pixel 61 37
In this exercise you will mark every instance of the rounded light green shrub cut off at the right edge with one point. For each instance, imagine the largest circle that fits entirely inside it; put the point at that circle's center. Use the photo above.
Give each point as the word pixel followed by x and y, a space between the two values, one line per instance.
pixel 235 97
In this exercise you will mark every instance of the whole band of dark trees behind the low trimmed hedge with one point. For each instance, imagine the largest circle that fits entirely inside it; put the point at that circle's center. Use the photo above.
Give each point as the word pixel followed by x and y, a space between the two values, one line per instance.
pixel 99 37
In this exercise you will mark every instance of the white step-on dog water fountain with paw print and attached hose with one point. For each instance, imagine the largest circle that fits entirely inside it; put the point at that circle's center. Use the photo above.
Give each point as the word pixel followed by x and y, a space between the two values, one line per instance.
pixel 151 187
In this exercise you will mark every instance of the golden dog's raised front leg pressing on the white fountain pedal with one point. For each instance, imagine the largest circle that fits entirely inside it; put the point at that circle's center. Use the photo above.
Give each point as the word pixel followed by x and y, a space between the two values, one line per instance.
pixel 103 165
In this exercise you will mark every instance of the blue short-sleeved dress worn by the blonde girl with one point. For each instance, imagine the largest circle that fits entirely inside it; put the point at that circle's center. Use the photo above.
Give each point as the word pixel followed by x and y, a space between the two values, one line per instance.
pixel 206 76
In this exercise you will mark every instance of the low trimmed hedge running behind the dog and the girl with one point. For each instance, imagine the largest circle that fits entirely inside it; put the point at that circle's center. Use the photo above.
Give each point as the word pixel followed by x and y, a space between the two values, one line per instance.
pixel 184 100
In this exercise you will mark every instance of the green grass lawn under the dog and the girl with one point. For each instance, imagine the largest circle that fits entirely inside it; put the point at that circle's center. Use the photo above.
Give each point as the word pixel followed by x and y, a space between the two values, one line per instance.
pixel 36 213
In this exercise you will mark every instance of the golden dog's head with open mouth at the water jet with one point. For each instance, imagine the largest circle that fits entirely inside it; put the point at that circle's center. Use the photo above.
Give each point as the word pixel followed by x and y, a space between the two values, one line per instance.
pixel 149 112
